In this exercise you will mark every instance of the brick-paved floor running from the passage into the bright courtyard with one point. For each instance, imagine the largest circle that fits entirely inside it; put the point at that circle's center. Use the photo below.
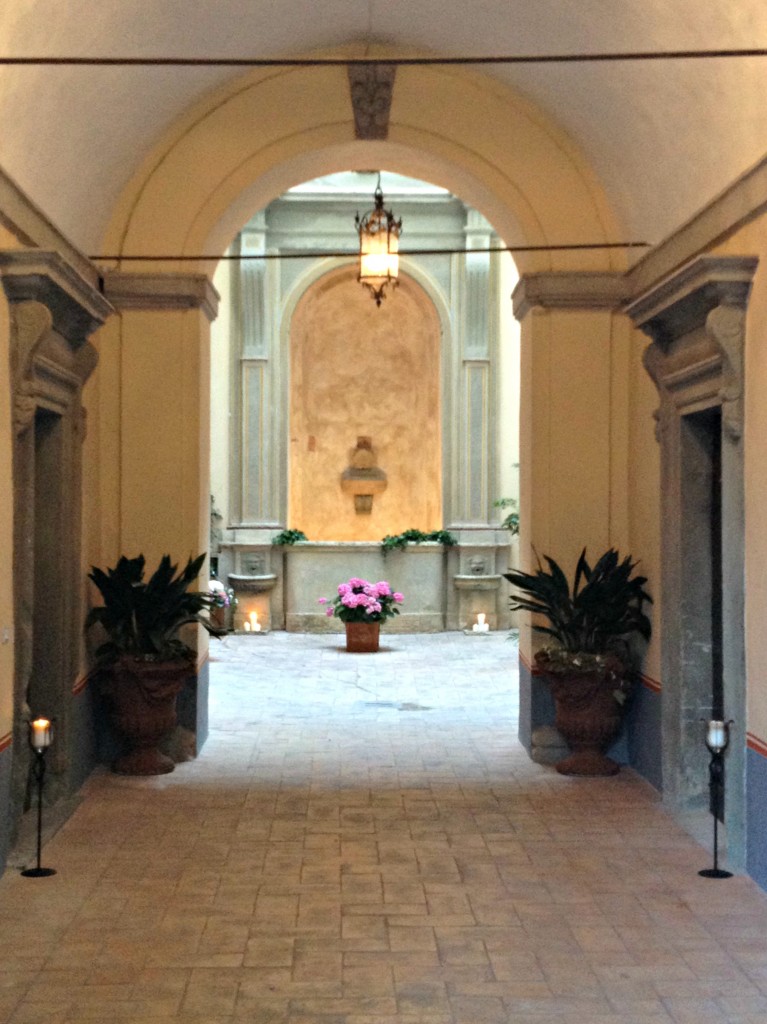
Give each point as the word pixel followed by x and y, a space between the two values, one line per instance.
pixel 363 841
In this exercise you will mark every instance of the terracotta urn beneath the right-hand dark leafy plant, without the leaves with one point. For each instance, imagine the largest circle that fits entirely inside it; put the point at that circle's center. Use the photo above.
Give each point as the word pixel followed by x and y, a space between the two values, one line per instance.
pixel 589 718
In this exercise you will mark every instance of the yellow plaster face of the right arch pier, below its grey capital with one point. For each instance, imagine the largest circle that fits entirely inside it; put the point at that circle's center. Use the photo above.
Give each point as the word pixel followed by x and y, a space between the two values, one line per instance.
pixel 575 425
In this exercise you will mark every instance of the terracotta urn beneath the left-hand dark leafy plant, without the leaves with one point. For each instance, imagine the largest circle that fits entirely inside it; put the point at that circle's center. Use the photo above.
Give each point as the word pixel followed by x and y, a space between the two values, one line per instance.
pixel 144 711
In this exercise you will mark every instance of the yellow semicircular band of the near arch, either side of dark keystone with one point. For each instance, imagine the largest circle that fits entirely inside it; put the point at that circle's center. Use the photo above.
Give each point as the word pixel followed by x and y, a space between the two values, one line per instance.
pixel 244 145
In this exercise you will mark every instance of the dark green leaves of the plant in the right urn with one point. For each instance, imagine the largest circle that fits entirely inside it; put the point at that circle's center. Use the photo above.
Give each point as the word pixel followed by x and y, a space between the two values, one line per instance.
pixel 594 621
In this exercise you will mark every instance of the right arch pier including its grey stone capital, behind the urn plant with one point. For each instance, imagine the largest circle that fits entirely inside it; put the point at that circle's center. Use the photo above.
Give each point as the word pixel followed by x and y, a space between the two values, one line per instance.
pixel 574 471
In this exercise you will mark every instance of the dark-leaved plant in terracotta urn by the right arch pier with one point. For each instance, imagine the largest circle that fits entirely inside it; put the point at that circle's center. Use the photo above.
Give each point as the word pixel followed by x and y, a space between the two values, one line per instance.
pixel 591 663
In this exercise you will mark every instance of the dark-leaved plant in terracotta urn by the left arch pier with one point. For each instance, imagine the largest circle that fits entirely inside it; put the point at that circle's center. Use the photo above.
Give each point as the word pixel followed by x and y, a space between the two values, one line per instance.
pixel 144 663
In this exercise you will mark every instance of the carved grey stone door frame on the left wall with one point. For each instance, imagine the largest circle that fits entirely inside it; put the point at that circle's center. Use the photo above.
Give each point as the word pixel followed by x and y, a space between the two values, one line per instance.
pixel 53 312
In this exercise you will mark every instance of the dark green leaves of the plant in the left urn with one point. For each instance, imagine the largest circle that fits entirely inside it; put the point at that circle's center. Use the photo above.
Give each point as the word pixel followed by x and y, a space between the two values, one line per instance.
pixel 142 619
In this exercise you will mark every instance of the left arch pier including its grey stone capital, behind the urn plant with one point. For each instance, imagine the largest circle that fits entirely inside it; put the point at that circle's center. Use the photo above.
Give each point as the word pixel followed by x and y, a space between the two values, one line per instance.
pixel 159 356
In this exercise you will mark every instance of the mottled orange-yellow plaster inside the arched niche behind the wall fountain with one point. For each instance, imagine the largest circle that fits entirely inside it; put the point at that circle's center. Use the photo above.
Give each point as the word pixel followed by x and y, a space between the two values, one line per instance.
pixel 358 370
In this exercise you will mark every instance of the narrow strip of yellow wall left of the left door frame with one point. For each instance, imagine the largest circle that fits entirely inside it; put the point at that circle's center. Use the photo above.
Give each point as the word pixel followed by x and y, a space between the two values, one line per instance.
pixel 7 530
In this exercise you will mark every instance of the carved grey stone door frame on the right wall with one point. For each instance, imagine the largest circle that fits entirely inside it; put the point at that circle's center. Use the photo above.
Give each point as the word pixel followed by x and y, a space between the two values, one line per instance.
pixel 697 321
